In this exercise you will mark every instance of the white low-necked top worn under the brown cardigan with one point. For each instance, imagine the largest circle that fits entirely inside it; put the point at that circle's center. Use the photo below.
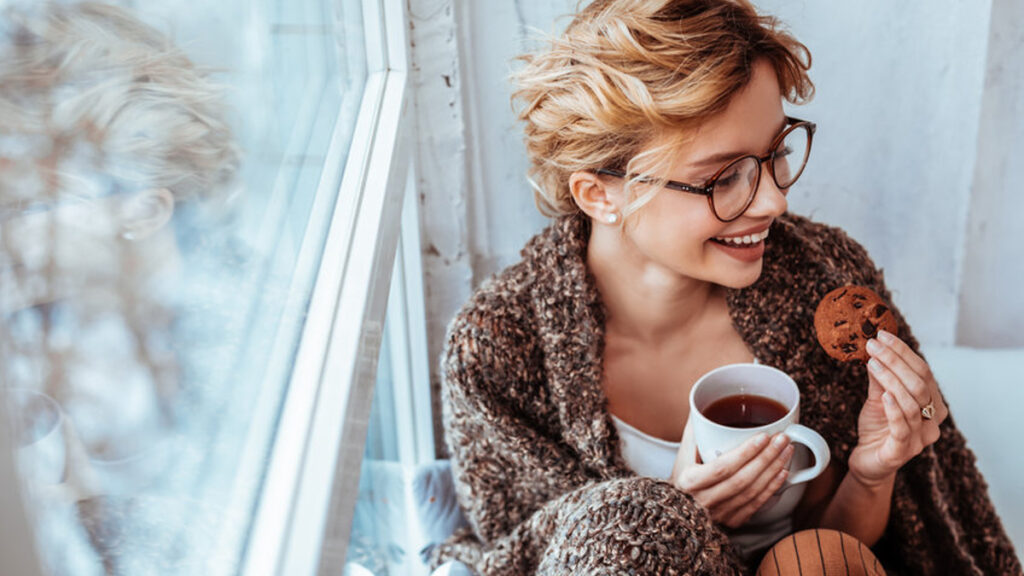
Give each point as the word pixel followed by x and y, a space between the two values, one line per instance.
pixel 654 458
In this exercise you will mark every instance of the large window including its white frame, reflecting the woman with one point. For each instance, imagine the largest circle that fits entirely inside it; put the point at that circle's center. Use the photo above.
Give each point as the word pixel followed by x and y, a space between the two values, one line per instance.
pixel 193 263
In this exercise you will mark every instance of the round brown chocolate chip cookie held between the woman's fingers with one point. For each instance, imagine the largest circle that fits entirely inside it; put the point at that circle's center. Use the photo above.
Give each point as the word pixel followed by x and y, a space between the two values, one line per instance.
pixel 847 318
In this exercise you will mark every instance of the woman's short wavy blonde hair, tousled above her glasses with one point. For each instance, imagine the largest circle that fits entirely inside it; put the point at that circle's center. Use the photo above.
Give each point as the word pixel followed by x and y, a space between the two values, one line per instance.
pixel 626 72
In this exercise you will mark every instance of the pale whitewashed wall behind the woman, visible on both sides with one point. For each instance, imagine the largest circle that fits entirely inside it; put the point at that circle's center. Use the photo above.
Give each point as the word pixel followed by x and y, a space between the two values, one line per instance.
pixel 920 113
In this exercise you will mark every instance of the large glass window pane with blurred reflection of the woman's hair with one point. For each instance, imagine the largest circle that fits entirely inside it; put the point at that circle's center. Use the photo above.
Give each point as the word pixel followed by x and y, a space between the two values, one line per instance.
pixel 165 194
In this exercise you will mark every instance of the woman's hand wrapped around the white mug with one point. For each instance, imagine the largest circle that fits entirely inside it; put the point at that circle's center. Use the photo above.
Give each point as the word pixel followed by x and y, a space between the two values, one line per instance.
pixel 737 484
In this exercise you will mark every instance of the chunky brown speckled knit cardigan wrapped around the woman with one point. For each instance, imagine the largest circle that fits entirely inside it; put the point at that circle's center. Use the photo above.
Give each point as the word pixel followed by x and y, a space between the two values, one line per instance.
pixel 536 458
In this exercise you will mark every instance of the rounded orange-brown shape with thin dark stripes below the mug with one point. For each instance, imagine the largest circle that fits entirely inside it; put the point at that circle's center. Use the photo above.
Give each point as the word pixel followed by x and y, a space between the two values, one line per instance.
pixel 820 553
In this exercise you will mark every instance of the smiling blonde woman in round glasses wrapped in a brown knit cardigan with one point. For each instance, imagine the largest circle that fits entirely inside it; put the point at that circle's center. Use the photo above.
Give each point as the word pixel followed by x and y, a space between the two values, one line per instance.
pixel 635 292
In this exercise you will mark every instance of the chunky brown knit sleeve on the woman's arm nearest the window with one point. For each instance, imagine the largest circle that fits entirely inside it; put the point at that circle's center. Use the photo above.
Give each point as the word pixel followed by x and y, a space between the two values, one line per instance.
pixel 532 507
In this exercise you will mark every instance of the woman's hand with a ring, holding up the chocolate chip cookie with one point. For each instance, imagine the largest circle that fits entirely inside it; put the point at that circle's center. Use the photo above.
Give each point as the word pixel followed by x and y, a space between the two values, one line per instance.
pixel 892 427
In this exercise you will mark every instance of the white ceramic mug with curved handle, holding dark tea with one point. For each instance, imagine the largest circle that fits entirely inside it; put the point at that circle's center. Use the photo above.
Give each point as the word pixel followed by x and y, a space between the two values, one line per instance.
pixel 713 439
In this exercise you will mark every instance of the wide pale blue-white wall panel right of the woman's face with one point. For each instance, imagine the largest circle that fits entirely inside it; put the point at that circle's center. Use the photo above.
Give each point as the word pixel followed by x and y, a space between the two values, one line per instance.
pixel 900 90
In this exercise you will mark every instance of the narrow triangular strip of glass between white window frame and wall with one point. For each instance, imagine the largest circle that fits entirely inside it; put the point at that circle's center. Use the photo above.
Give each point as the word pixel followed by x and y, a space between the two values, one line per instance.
pixel 389 534
